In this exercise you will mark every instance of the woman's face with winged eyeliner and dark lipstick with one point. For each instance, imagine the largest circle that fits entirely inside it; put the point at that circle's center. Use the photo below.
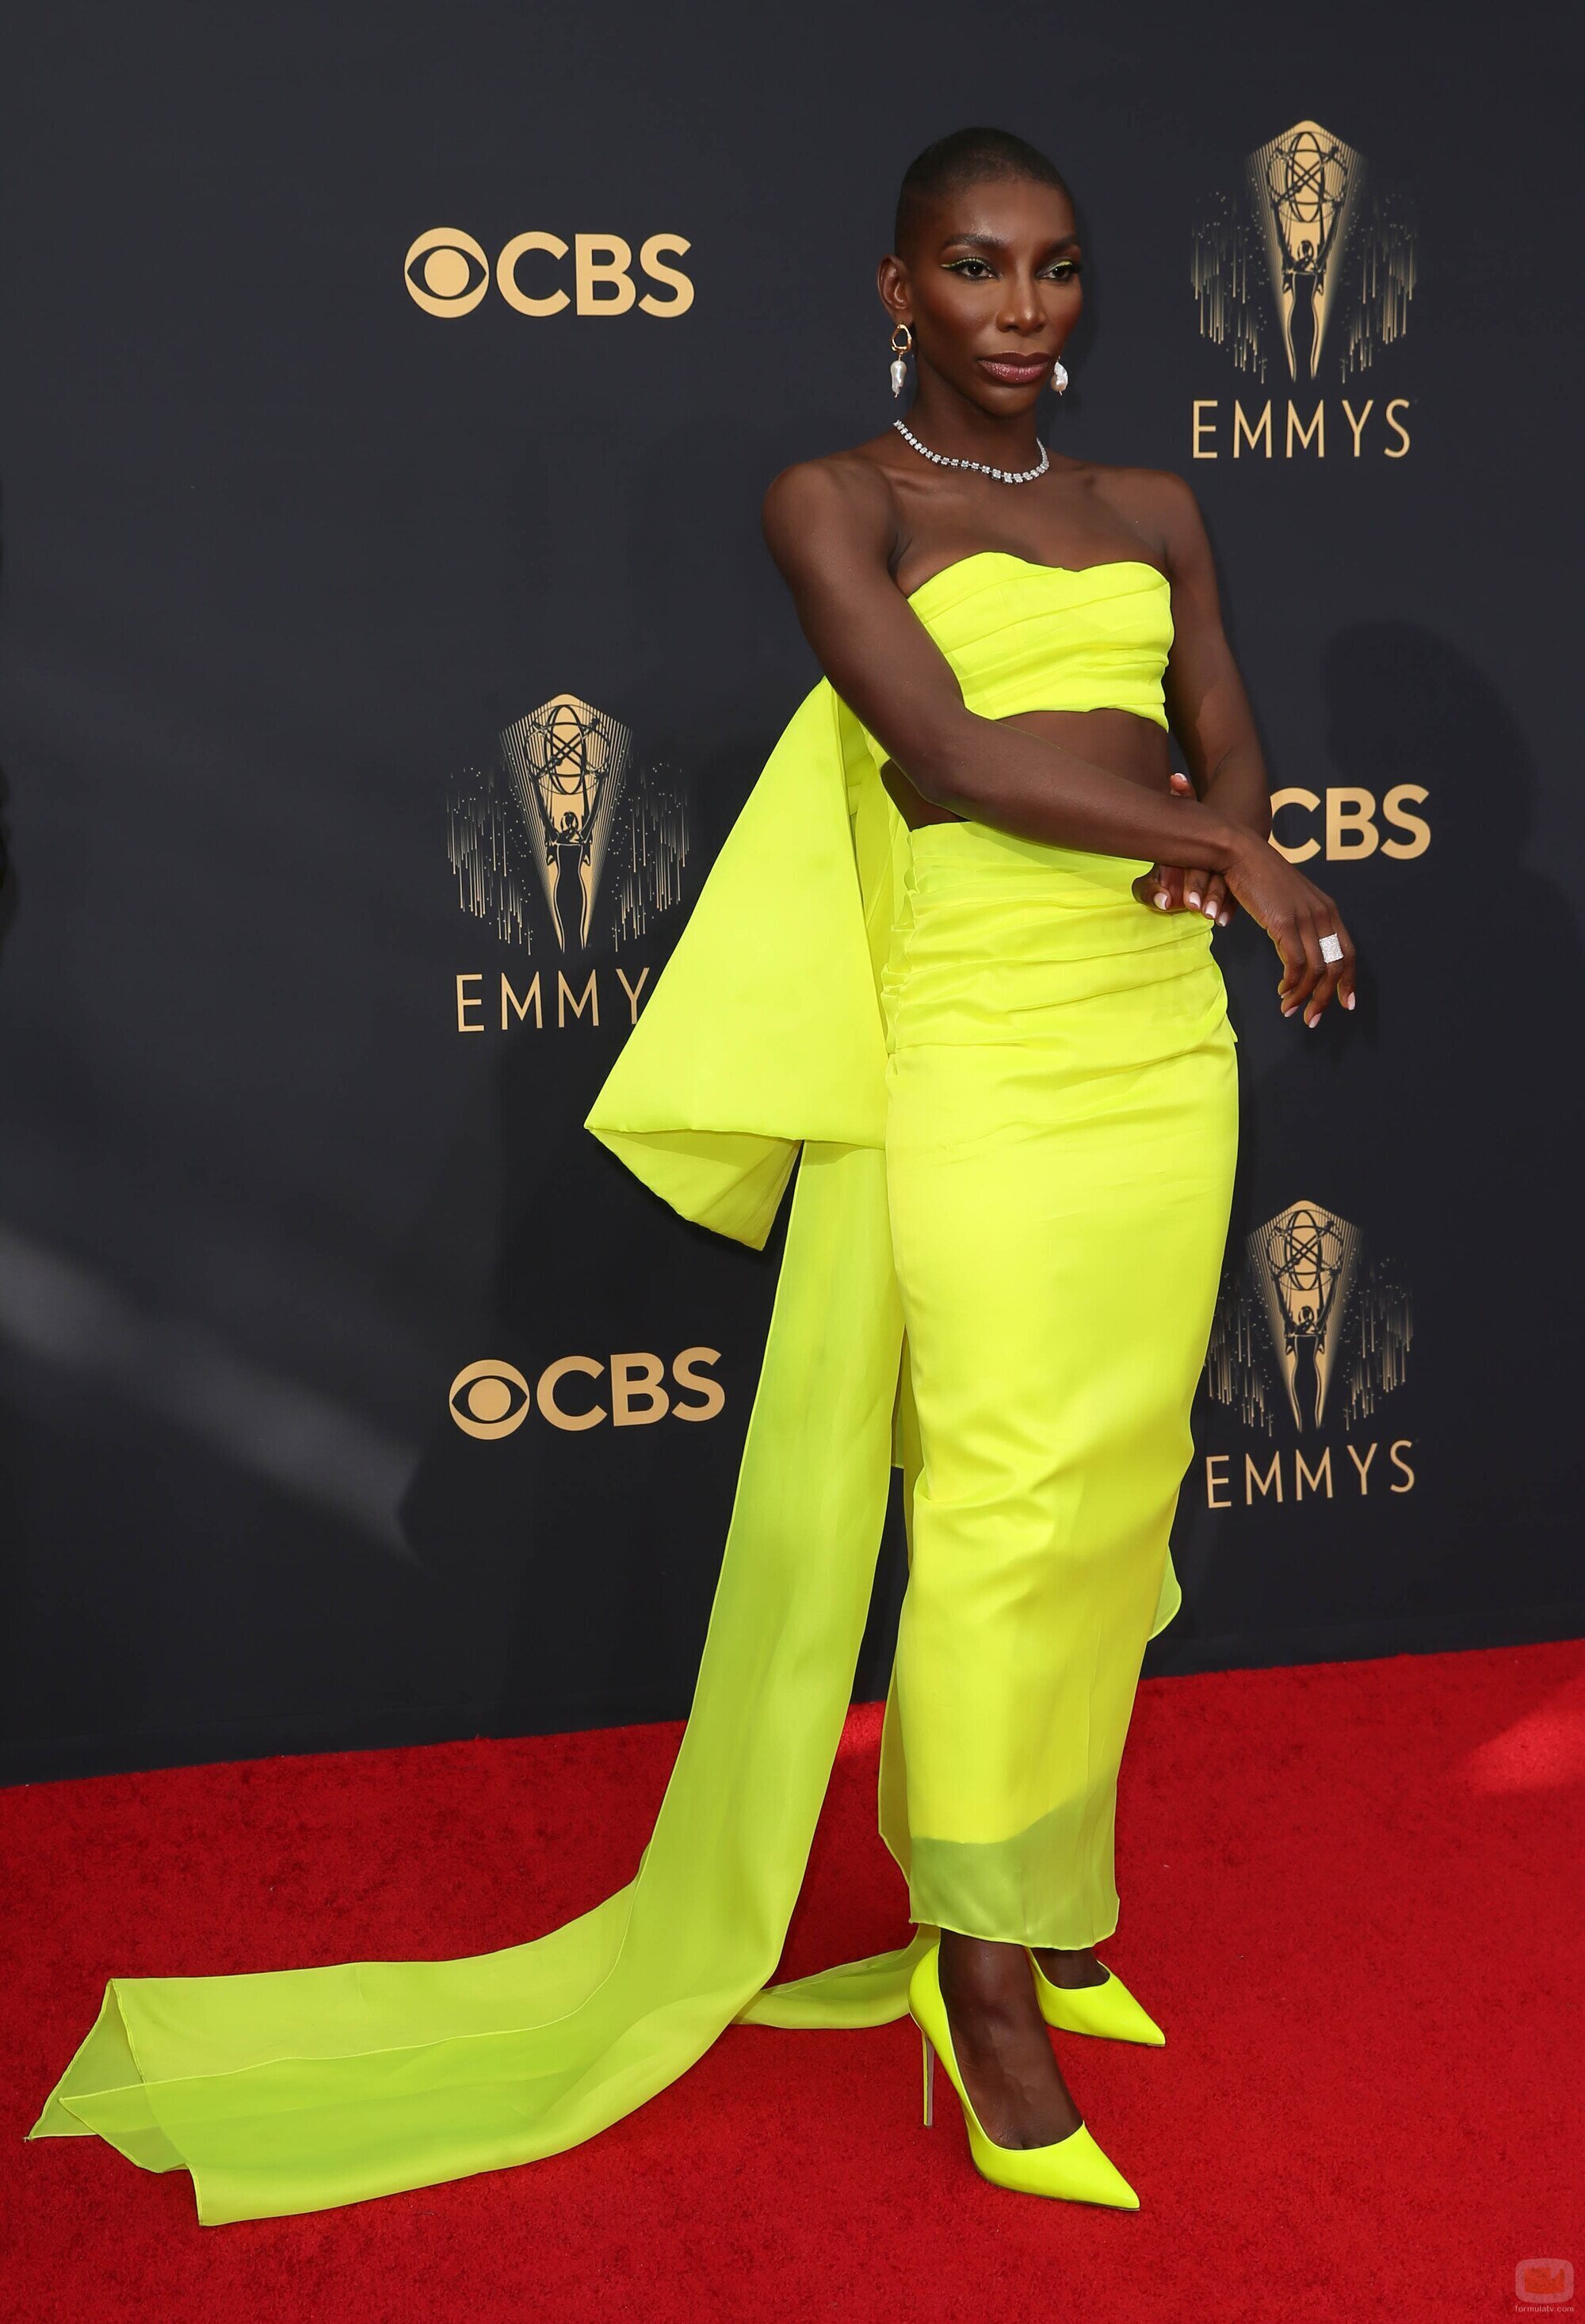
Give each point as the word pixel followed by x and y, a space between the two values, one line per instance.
pixel 991 289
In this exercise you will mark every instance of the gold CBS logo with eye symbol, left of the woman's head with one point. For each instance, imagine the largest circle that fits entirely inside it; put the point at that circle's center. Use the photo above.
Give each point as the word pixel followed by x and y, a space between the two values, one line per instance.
pixel 447 273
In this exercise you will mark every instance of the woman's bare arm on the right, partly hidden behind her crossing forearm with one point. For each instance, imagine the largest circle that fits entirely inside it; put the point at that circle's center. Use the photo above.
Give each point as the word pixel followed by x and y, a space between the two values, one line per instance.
pixel 1205 703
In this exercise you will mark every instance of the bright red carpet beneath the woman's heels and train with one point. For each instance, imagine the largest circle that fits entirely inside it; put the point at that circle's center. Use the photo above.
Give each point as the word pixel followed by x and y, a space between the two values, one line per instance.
pixel 1351 1893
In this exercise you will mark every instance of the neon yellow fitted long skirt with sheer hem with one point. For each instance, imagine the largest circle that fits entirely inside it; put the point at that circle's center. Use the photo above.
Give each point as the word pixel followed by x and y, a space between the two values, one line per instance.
pixel 1059 1156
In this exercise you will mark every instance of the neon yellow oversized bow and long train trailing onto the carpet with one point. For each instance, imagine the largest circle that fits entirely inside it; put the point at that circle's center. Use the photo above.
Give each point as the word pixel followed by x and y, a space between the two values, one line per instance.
pixel 759 1054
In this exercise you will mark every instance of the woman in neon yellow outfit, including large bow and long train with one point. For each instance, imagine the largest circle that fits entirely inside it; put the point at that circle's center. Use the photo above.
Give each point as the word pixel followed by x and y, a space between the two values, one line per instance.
pixel 954 968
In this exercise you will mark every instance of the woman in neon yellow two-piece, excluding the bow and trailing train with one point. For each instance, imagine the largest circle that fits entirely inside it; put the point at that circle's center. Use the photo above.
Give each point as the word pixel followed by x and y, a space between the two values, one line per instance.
pixel 919 578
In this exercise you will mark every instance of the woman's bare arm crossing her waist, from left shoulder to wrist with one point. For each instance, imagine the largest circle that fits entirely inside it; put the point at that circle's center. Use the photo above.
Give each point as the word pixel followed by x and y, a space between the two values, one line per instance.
pixel 831 529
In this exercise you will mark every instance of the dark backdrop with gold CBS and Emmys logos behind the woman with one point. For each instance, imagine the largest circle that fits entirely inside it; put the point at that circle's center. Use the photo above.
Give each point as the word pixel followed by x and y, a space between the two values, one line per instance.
pixel 389 647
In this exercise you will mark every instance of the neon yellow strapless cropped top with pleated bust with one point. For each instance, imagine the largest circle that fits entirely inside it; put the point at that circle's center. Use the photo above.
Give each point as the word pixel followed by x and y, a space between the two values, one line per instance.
pixel 1049 638
